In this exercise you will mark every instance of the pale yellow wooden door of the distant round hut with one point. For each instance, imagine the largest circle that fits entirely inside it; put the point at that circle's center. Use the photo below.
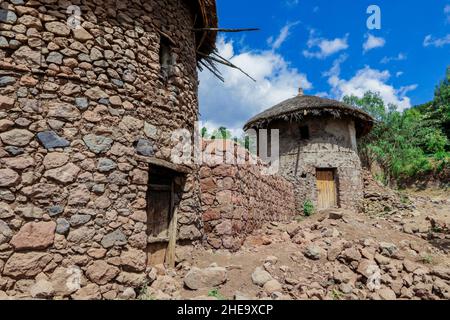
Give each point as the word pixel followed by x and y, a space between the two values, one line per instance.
pixel 326 186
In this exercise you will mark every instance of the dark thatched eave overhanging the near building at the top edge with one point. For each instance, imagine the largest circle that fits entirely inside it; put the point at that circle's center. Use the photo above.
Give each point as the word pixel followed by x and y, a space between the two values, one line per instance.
pixel 205 18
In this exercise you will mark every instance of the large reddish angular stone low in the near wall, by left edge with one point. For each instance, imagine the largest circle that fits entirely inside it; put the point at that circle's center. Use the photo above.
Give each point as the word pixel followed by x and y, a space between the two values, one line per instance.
pixel 34 236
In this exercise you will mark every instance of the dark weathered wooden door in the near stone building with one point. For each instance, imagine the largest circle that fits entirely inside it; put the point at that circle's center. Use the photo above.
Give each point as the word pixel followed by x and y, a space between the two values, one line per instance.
pixel 159 213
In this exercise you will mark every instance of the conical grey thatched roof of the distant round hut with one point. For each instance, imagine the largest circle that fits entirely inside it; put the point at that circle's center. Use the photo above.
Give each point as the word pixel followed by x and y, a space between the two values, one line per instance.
pixel 303 106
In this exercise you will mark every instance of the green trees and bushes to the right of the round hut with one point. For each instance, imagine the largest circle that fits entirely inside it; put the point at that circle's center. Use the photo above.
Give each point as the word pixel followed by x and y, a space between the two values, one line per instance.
pixel 410 143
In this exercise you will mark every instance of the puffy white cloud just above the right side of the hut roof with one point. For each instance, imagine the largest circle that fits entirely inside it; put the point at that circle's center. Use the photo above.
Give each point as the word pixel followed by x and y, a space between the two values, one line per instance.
pixel 368 79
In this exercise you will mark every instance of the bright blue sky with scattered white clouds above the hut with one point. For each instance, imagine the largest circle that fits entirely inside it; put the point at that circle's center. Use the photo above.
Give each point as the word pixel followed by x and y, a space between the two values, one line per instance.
pixel 325 47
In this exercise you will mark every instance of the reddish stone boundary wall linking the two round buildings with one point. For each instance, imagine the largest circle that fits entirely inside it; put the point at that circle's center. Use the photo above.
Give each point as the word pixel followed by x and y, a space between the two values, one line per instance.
pixel 238 198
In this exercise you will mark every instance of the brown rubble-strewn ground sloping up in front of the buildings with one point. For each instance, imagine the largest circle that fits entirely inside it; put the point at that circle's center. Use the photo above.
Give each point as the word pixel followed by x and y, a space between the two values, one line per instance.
pixel 396 254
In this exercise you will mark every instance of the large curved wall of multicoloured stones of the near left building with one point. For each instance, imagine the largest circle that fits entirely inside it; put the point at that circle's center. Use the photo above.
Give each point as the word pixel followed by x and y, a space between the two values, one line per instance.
pixel 85 115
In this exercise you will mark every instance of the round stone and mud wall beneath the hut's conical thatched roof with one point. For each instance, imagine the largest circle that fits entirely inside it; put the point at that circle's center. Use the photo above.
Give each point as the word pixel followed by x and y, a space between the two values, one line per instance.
pixel 332 144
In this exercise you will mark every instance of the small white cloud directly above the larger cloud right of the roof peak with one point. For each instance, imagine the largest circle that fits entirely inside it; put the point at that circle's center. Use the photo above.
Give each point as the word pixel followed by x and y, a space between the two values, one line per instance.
pixel 325 47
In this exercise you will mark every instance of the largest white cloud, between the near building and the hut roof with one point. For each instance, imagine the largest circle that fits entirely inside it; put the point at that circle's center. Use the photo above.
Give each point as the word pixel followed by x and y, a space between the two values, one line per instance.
pixel 232 103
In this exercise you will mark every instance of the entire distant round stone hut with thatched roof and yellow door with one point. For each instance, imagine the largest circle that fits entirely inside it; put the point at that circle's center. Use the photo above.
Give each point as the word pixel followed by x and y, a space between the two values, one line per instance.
pixel 318 148
